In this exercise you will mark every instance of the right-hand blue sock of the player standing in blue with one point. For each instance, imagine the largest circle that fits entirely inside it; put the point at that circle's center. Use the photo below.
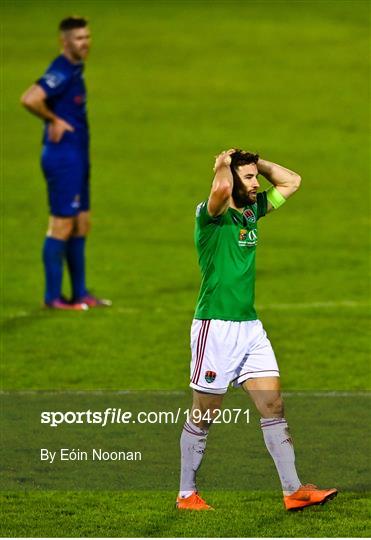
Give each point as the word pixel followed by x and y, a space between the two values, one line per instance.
pixel 75 255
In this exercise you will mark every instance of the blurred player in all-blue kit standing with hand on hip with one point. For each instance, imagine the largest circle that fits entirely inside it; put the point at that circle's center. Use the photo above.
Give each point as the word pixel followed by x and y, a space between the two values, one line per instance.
pixel 59 98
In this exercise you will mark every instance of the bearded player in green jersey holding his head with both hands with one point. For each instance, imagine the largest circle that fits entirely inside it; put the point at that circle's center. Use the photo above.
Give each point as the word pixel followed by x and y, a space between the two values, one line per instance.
pixel 228 342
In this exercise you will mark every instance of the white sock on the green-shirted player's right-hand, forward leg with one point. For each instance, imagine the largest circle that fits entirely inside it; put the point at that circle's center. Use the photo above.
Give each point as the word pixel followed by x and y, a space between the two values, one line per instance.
pixel 279 444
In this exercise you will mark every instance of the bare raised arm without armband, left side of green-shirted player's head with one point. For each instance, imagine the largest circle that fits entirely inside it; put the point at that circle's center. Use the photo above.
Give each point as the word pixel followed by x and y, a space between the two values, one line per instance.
pixel 221 189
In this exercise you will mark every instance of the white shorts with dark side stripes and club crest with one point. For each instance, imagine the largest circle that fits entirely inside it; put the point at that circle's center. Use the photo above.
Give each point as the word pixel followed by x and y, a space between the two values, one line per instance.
pixel 229 352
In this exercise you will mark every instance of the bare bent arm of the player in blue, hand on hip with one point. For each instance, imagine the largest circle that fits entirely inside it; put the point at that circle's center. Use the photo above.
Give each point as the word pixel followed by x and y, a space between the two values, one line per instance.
pixel 34 99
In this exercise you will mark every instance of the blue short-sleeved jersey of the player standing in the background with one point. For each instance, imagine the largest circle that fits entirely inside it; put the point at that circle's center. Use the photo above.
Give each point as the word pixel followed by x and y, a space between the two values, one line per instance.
pixel 64 85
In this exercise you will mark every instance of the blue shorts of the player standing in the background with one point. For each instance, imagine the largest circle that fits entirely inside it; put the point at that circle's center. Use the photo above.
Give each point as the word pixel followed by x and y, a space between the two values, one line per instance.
pixel 67 171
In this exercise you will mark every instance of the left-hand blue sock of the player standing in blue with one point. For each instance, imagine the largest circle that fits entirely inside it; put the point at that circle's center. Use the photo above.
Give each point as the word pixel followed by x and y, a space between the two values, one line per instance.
pixel 53 254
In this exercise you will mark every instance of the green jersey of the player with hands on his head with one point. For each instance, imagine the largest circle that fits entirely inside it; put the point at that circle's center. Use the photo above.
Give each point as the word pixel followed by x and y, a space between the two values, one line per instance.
pixel 226 247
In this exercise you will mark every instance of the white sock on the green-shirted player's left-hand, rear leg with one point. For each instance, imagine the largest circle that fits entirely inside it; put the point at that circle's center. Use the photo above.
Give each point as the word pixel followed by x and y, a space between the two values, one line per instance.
pixel 192 448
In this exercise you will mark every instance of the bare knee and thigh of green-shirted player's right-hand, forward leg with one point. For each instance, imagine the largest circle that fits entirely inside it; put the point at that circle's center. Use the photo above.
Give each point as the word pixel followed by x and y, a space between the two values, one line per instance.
pixel 265 392
